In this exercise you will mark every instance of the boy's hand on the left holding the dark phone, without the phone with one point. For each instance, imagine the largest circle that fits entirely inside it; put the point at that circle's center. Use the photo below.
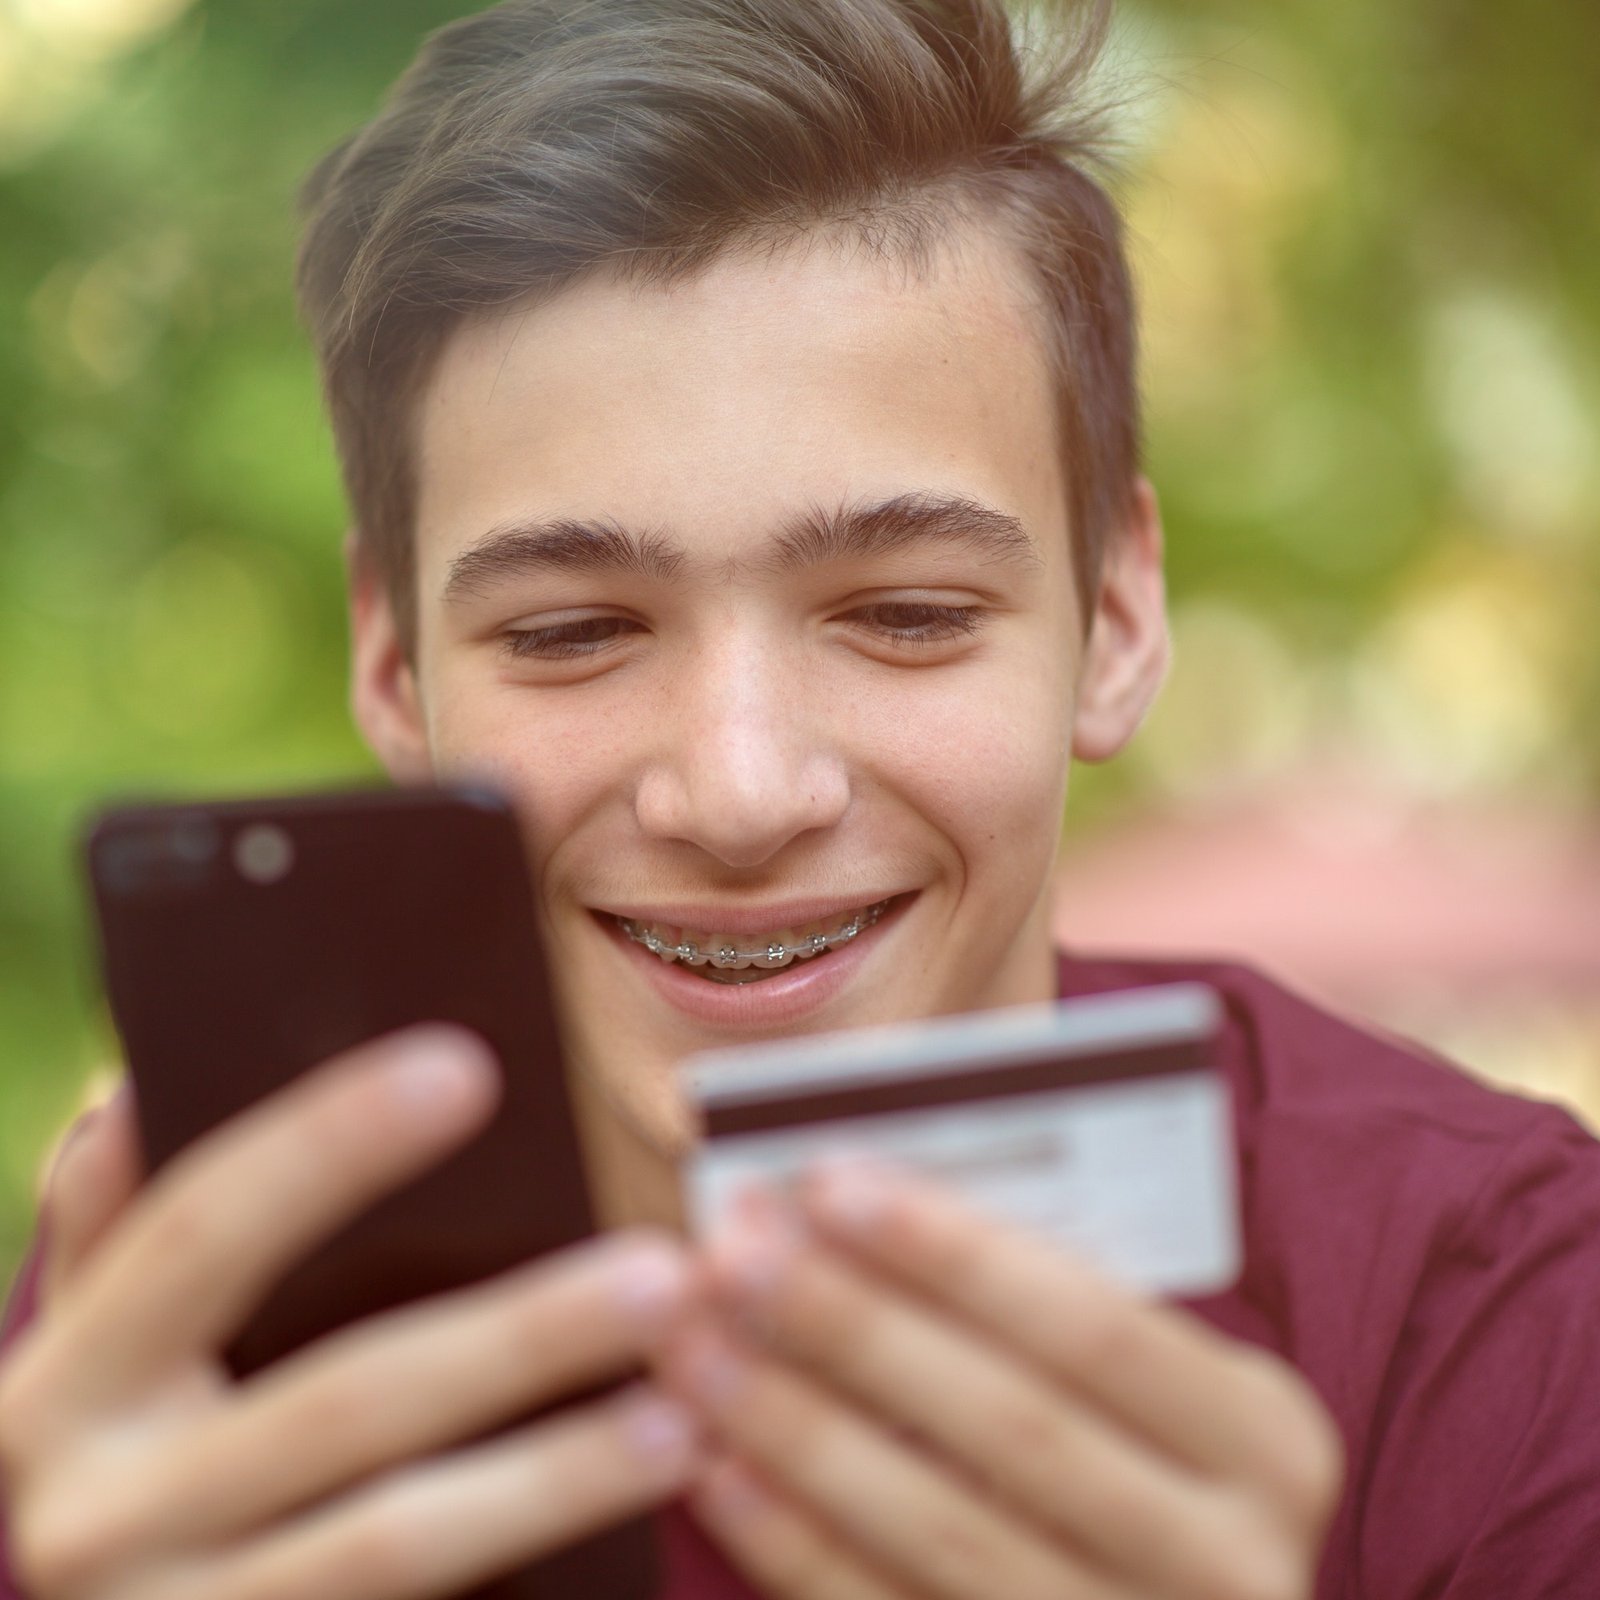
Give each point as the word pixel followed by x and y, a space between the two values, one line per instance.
pixel 135 1463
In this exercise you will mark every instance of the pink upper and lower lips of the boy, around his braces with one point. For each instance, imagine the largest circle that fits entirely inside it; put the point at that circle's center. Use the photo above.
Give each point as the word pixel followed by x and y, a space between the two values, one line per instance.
pixel 790 996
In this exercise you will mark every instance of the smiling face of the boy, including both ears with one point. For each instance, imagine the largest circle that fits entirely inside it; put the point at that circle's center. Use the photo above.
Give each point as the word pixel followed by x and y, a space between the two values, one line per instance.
pixel 756 594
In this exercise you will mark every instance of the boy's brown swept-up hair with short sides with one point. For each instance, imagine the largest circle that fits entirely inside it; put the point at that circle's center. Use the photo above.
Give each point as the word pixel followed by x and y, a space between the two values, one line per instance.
pixel 546 140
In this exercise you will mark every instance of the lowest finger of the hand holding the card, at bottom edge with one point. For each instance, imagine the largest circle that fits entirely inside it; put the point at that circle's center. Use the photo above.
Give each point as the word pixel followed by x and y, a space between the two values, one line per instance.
pixel 780 1548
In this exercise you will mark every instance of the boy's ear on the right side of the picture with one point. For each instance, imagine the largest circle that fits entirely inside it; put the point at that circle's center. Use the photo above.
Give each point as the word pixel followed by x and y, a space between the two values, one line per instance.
pixel 1129 647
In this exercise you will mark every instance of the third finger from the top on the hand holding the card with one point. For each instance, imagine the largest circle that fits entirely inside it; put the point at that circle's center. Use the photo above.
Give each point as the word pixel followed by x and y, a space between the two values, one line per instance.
pixel 911 1519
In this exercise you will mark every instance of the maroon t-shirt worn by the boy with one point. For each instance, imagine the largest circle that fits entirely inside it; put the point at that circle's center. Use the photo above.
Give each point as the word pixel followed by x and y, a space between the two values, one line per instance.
pixel 1428 1254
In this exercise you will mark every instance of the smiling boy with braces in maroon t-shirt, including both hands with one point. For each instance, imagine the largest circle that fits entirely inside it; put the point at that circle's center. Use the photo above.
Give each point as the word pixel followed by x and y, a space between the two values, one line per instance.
pixel 738 409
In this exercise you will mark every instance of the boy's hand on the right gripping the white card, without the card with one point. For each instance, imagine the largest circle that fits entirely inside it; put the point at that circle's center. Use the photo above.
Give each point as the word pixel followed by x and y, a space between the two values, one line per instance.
pixel 910 1401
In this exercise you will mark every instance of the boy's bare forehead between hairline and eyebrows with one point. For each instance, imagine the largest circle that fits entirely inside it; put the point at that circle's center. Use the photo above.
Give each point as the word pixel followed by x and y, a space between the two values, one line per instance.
pixel 770 382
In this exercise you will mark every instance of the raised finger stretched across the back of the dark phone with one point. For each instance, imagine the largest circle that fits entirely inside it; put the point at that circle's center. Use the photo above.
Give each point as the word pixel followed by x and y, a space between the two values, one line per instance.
pixel 233 1212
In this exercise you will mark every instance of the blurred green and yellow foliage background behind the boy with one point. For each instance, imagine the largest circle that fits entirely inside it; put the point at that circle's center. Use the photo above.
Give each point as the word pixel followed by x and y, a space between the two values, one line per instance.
pixel 1367 239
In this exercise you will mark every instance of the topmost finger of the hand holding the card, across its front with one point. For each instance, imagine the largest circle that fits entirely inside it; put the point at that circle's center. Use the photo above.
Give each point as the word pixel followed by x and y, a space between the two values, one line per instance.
pixel 1215 1402
